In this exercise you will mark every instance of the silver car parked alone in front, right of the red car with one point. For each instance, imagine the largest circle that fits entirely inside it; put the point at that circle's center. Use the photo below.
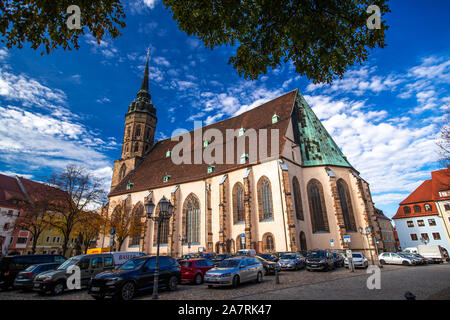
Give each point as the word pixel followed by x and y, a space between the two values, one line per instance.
pixel 235 270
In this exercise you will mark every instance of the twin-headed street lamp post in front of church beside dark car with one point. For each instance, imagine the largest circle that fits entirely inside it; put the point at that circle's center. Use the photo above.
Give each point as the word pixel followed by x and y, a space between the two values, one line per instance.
pixel 165 212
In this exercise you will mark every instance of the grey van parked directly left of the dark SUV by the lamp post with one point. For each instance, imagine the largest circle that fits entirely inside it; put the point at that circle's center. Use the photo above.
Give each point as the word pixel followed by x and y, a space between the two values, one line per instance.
pixel 90 265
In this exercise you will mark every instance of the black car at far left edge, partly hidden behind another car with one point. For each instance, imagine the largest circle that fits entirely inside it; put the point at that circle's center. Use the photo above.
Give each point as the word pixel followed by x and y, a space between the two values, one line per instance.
pixel 10 266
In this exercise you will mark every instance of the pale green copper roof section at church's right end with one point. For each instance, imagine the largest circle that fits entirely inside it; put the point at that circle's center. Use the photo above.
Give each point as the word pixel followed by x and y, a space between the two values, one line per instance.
pixel 317 146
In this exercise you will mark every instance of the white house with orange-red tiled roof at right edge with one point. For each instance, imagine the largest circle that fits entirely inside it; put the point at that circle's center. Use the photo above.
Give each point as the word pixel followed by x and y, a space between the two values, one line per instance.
pixel 420 218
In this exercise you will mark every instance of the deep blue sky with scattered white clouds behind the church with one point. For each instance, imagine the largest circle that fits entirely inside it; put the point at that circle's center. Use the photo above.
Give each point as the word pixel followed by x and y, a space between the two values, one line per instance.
pixel 68 107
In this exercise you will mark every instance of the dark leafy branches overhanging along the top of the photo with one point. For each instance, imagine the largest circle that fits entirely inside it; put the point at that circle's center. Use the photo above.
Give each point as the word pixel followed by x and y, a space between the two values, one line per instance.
pixel 322 38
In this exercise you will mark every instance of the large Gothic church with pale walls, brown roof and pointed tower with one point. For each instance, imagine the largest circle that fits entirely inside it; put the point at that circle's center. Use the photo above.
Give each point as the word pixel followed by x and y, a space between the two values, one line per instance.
pixel 302 195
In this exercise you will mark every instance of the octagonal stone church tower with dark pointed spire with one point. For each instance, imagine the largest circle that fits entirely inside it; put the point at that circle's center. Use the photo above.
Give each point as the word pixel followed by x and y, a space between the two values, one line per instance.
pixel 140 126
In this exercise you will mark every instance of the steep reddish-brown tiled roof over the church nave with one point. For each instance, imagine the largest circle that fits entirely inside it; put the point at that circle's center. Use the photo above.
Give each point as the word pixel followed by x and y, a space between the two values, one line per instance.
pixel 149 174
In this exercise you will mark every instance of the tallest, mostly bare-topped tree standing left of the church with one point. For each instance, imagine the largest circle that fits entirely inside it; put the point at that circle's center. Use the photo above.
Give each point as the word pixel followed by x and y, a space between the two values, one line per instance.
pixel 82 192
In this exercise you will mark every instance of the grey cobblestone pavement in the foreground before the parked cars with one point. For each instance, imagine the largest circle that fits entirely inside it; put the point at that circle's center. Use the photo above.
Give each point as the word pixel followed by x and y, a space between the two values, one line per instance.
pixel 430 281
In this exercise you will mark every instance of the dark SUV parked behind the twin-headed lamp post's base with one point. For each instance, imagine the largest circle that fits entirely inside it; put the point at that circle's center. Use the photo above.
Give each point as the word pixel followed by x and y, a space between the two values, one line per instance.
pixel 134 276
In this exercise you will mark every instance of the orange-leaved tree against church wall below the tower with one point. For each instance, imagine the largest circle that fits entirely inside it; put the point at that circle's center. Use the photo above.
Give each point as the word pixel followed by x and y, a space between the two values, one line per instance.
pixel 126 221
